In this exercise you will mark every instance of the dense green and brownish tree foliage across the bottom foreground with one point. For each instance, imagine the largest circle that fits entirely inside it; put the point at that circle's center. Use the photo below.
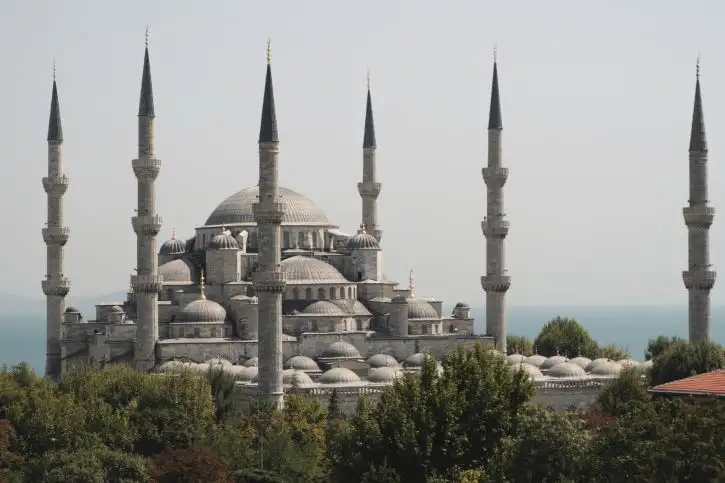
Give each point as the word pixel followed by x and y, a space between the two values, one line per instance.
pixel 470 421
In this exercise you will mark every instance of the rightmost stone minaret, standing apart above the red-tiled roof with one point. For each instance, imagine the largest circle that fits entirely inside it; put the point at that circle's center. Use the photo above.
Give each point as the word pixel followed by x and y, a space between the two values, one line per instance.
pixel 699 277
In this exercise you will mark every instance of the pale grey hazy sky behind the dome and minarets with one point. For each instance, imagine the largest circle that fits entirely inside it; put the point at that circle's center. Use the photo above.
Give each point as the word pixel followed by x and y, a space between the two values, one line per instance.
pixel 596 98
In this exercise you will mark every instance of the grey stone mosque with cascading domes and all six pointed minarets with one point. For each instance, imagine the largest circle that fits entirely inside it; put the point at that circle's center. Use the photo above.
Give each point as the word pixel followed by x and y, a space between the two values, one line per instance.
pixel 272 291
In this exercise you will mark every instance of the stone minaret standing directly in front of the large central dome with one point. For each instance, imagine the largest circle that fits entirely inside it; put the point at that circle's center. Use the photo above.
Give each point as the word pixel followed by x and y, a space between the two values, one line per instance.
pixel 269 281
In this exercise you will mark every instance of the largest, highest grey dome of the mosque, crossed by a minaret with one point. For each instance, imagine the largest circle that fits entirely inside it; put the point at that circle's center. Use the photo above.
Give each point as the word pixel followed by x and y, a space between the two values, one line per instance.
pixel 299 210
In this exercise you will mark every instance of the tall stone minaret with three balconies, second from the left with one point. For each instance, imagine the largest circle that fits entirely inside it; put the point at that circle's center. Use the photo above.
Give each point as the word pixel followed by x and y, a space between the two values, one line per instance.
pixel 147 282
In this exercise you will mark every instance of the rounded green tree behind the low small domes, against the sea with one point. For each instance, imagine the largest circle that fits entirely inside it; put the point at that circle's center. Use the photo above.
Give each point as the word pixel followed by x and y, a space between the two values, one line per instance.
pixel 566 337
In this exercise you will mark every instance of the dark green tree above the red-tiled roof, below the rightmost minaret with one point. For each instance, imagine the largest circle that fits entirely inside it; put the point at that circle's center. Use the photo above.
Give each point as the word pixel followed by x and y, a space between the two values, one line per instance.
pixel 685 359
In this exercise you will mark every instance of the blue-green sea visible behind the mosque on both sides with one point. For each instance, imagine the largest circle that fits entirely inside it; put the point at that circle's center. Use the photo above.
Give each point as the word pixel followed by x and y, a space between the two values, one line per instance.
pixel 22 335
